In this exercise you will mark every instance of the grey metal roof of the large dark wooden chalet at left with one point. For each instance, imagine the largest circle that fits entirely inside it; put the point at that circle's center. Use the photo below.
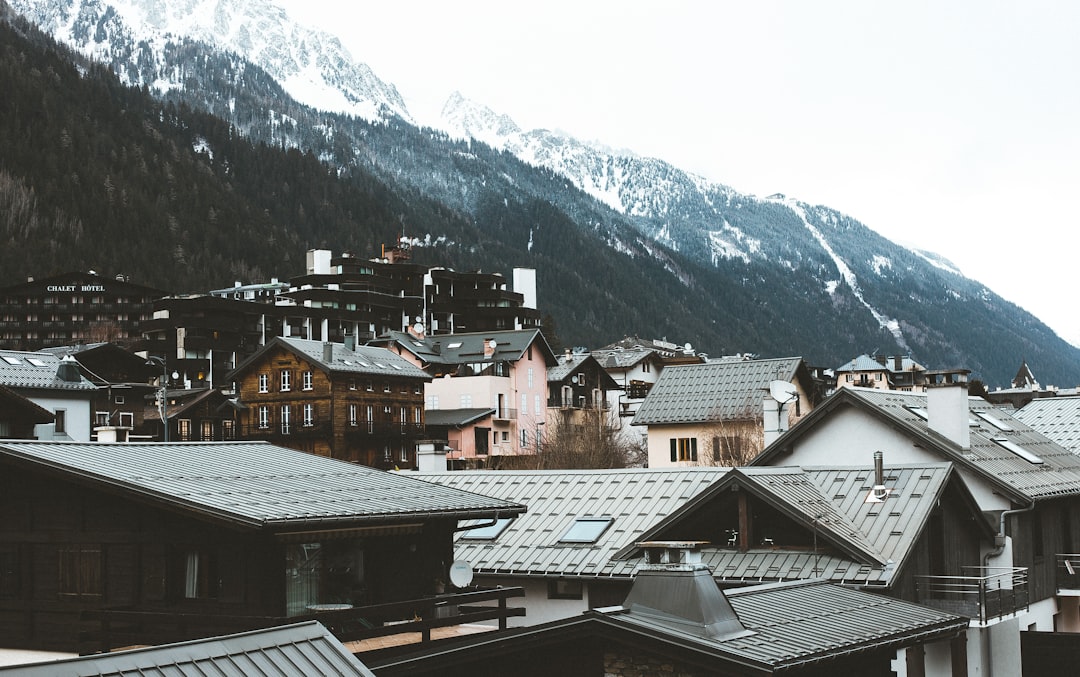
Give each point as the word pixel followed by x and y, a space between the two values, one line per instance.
pixel 256 485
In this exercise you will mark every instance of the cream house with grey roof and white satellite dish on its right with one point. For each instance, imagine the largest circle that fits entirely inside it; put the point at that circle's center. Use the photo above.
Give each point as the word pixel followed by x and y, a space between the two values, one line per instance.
pixel 723 412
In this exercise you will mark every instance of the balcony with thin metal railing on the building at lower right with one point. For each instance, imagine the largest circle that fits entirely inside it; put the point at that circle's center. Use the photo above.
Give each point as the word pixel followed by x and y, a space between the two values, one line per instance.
pixel 987 594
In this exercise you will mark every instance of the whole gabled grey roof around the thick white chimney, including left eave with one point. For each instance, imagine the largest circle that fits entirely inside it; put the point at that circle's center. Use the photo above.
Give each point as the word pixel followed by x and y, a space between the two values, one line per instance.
pixel 1058 476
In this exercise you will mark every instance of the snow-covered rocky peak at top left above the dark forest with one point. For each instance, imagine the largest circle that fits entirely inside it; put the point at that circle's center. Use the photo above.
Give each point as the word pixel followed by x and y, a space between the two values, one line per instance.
pixel 313 66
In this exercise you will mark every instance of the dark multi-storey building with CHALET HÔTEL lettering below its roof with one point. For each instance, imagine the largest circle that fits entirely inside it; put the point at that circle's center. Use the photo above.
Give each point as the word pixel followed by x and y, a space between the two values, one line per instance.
pixel 72 308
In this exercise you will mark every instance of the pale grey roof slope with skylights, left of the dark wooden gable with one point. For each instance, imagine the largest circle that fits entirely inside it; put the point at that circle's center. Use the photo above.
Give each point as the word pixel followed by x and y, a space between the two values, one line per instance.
pixel 634 498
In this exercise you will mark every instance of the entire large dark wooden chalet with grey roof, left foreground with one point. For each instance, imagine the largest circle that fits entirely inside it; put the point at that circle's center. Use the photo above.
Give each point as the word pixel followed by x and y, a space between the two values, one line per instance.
pixel 147 544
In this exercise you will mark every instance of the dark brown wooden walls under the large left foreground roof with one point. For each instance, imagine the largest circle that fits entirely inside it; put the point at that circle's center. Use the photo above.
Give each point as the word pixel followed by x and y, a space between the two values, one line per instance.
pixel 67 549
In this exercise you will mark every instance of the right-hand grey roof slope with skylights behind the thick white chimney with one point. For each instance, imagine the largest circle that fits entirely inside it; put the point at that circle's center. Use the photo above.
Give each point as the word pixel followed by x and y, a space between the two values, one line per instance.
pixel 1058 476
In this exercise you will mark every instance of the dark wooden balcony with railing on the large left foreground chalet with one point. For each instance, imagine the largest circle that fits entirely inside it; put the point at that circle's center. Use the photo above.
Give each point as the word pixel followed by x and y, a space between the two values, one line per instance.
pixel 114 629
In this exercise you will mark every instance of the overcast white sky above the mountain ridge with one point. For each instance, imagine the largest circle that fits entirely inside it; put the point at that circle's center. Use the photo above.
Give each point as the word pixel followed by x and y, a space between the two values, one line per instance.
pixel 952 127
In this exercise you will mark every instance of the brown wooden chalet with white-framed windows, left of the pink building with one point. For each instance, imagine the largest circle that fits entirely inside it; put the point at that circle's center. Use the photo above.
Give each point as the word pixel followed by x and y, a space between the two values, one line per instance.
pixel 360 404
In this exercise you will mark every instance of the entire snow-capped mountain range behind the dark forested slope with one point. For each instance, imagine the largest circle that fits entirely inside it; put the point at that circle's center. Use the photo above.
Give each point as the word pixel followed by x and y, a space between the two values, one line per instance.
pixel 752 272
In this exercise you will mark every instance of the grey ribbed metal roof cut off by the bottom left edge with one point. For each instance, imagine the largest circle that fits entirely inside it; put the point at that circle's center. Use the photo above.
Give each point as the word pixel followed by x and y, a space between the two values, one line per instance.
pixel 299 651
